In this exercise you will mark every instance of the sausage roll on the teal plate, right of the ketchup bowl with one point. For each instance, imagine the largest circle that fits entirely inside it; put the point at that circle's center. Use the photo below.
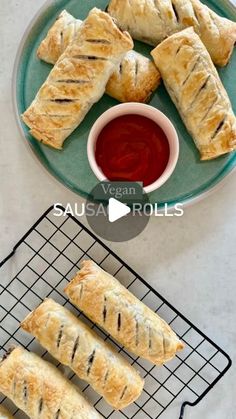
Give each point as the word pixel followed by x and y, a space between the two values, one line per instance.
pixel 197 91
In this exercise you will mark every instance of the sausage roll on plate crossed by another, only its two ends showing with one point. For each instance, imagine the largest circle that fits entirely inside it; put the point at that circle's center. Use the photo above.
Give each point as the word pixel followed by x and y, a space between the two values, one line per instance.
pixel 134 80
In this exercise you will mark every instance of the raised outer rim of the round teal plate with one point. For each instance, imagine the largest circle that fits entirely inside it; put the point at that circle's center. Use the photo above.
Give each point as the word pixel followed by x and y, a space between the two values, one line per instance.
pixel 218 182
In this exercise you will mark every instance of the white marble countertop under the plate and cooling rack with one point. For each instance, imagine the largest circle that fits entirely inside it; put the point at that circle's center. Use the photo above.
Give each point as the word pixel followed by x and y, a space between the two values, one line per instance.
pixel 190 260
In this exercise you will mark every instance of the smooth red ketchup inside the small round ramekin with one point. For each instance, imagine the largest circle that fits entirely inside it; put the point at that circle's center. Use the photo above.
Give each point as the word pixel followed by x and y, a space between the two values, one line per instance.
pixel 132 148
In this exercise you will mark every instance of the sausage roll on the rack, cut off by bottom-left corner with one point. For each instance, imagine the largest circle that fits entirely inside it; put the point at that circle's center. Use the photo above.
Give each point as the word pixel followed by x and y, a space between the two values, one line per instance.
pixel 40 390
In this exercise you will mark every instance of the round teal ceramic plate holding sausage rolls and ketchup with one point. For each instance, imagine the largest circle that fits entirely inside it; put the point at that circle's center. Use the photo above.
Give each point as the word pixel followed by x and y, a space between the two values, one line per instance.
pixel 191 180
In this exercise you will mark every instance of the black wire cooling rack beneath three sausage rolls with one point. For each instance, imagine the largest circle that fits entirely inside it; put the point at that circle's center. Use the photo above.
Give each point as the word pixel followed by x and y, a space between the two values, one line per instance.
pixel 40 266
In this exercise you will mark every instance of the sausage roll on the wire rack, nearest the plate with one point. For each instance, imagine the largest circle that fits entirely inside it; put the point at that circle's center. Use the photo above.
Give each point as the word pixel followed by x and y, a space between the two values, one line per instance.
pixel 106 302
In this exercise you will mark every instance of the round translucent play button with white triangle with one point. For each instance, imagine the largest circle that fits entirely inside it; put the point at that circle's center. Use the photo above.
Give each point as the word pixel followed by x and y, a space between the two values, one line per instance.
pixel 114 210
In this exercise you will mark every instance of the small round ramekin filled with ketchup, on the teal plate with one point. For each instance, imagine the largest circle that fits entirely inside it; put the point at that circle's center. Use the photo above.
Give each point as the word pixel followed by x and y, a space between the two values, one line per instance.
pixel 133 142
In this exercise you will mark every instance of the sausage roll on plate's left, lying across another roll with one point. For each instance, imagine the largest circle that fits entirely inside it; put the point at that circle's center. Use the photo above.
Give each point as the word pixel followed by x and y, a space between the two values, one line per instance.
pixel 78 79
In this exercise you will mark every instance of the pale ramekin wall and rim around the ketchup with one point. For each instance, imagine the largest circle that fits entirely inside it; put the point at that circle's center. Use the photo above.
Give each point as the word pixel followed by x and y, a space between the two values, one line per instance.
pixel 137 109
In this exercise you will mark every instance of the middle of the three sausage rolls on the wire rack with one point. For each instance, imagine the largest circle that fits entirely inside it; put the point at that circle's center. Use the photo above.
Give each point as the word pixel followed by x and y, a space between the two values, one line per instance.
pixel 75 345
